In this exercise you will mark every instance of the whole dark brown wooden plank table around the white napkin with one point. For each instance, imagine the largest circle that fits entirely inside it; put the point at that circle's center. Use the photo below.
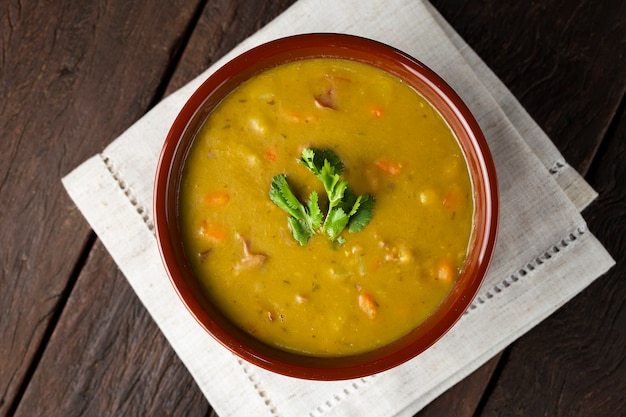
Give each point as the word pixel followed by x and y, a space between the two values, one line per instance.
pixel 75 340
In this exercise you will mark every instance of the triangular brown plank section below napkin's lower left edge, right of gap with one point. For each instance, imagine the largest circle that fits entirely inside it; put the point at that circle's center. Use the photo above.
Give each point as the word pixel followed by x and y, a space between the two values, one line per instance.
pixel 108 357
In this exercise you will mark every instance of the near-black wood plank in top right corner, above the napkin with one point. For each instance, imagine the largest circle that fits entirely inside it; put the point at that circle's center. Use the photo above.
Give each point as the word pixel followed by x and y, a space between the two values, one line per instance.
pixel 563 60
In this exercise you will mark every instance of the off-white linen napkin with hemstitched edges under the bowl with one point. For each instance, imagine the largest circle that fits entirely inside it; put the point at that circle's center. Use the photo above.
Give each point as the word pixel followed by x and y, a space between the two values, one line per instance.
pixel 545 254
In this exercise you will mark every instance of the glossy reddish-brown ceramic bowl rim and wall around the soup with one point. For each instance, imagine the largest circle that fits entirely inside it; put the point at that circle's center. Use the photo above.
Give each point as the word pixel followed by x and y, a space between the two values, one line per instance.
pixel 433 88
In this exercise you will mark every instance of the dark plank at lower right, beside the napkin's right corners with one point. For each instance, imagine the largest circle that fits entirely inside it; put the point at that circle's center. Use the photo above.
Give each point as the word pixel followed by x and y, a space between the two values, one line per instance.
pixel 573 363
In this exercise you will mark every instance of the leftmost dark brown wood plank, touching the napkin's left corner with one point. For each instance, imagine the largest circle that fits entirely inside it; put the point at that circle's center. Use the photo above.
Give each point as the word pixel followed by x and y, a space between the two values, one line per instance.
pixel 73 75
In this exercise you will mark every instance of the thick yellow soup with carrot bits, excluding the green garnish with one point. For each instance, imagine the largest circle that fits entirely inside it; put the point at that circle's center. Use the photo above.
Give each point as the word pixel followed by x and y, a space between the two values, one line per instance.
pixel 326 298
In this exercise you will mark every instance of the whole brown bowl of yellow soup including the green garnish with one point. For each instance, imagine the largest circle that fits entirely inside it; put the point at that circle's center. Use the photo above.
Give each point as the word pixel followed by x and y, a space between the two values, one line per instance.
pixel 326 206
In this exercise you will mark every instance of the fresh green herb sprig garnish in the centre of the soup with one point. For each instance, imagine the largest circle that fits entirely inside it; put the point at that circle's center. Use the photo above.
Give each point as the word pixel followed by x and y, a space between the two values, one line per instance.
pixel 344 209
